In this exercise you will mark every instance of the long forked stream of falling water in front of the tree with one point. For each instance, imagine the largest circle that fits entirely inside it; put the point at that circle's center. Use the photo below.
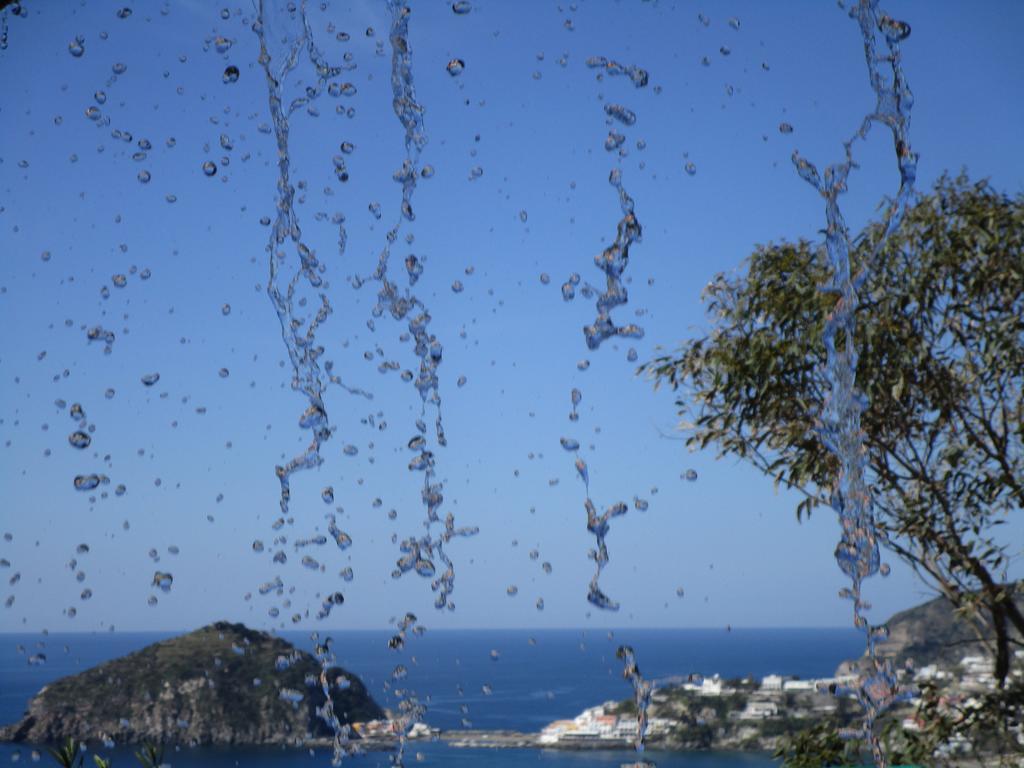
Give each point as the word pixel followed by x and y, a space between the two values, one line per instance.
pixel 839 422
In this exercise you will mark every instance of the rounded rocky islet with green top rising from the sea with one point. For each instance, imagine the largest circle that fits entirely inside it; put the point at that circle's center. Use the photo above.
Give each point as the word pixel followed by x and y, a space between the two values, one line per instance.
pixel 224 685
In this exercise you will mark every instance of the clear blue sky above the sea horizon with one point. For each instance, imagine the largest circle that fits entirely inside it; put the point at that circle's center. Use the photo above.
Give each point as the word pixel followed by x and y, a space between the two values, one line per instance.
pixel 69 187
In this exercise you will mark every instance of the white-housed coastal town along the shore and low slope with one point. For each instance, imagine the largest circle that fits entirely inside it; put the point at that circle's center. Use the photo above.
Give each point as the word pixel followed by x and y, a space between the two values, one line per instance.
pixel 706 713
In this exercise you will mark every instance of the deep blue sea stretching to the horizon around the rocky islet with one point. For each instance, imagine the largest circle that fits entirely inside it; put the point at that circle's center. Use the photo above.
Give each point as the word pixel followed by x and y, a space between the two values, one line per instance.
pixel 531 679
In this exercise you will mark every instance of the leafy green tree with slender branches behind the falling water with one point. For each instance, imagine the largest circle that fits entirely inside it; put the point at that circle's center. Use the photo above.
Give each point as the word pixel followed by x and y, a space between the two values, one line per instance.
pixel 941 336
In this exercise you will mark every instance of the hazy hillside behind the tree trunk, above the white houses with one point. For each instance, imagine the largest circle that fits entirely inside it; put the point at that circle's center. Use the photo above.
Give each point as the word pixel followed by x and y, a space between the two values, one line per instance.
pixel 932 633
